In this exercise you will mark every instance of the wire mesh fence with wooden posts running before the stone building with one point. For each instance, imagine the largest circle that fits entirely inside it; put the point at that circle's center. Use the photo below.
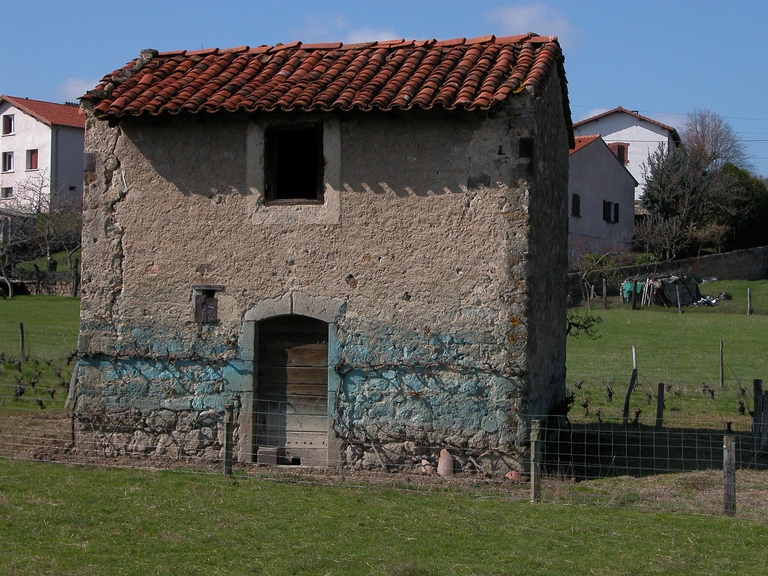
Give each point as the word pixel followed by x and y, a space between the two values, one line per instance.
pixel 675 467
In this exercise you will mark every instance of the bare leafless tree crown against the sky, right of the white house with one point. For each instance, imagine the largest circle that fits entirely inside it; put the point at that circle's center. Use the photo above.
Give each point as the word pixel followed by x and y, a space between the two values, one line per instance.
pixel 710 135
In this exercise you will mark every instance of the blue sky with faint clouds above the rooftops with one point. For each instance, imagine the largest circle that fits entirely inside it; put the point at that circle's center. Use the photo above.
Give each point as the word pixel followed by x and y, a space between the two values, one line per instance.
pixel 663 59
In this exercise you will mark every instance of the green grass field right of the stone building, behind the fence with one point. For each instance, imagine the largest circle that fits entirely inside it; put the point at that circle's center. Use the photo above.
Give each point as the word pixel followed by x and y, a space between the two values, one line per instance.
pixel 680 350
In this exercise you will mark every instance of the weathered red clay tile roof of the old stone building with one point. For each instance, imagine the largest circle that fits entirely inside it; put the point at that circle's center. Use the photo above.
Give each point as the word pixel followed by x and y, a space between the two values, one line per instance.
pixel 455 74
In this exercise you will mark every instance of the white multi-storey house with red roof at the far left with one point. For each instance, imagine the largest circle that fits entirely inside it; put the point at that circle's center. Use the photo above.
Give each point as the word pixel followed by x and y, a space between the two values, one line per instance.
pixel 41 145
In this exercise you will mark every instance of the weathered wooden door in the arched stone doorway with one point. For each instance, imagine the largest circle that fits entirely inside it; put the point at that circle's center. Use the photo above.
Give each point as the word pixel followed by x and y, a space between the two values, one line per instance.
pixel 292 390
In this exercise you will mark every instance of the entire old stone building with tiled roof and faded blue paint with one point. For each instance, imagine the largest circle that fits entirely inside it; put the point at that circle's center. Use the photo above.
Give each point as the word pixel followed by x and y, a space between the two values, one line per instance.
pixel 360 248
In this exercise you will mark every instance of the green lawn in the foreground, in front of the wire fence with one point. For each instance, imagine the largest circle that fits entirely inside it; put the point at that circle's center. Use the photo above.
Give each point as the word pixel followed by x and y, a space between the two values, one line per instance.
pixel 76 520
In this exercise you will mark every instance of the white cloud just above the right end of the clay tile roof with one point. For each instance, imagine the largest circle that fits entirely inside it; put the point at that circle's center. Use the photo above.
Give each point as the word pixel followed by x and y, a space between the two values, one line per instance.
pixel 536 17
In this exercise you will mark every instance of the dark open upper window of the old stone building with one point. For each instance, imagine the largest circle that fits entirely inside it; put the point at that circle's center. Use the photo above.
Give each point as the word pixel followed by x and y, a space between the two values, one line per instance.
pixel 294 163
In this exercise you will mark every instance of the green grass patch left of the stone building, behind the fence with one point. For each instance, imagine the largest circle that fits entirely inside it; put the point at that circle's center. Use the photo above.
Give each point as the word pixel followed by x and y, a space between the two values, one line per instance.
pixel 50 329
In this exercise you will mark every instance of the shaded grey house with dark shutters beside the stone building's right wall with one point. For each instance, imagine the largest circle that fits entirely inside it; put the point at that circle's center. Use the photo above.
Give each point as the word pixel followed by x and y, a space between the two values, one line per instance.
pixel 601 195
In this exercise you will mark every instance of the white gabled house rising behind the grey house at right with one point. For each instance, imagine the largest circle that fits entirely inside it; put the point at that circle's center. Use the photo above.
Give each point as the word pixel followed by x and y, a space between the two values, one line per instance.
pixel 631 136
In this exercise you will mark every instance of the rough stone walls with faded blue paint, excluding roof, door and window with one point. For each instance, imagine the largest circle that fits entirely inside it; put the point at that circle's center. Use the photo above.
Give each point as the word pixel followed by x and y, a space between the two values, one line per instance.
pixel 451 320
